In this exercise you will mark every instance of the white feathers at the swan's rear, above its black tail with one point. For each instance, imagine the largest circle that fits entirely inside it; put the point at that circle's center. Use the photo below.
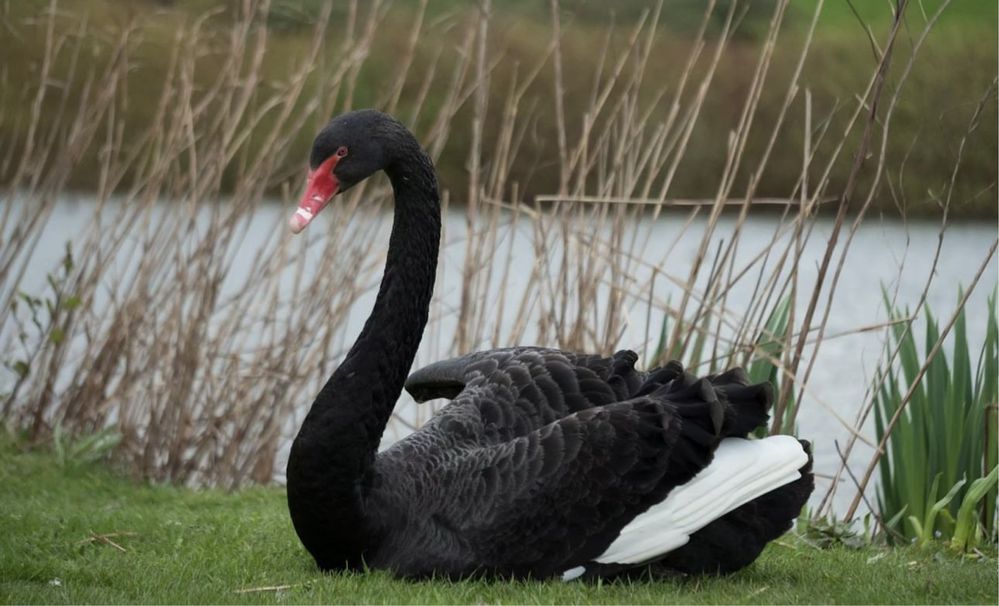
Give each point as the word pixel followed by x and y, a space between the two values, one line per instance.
pixel 742 471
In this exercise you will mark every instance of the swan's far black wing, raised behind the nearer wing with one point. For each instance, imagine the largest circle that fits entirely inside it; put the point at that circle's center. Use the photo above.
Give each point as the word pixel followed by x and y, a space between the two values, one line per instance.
pixel 504 393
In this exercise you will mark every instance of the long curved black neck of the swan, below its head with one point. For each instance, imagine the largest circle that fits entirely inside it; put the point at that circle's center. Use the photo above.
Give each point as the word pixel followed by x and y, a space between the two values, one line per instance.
pixel 335 448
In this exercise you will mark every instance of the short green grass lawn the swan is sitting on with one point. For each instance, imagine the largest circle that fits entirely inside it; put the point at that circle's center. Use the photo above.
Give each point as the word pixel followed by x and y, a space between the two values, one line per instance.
pixel 87 535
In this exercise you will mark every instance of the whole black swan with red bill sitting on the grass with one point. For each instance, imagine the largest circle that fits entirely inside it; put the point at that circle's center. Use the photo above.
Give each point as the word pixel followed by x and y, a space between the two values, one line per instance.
pixel 545 463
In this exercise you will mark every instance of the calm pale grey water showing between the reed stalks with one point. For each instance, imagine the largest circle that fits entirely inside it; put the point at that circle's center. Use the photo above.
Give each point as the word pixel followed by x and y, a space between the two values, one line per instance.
pixel 888 253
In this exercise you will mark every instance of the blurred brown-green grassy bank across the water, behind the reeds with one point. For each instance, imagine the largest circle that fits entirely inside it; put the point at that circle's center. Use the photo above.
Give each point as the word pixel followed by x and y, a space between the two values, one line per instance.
pixel 935 107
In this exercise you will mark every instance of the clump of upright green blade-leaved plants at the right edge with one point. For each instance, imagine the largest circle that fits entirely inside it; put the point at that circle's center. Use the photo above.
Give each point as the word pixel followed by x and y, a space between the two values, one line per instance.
pixel 946 432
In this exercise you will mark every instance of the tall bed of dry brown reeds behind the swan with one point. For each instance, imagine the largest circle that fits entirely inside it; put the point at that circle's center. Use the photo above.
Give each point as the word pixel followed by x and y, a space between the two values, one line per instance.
pixel 198 340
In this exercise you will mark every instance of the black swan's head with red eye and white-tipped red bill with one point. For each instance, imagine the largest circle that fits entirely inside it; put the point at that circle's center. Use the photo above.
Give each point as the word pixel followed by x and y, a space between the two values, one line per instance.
pixel 346 151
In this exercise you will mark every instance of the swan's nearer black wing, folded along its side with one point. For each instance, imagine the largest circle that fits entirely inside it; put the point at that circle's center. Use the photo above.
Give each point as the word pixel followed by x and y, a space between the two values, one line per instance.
pixel 557 496
